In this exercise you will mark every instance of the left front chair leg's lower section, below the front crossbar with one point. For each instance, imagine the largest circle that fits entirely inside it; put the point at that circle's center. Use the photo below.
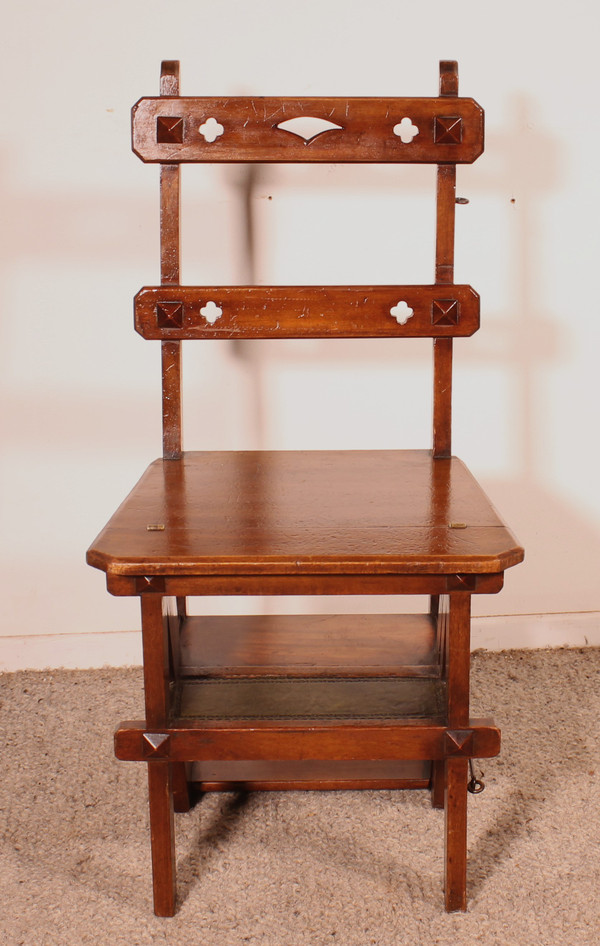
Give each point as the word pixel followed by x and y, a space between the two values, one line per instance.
pixel 160 791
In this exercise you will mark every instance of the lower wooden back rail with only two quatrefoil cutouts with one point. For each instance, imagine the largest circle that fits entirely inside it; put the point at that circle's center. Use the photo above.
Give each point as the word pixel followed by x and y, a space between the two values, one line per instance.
pixel 305 311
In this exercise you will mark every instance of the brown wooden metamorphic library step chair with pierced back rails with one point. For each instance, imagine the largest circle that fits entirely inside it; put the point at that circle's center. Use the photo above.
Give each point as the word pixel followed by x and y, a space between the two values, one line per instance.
pixel 306 701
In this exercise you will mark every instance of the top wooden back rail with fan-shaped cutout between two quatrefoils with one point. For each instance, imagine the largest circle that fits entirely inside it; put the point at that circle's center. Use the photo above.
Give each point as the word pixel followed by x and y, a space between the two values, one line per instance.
pixel 366 132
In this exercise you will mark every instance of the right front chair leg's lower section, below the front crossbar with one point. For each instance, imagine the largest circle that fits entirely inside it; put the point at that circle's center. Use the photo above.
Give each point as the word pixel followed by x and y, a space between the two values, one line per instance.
pixel 455 804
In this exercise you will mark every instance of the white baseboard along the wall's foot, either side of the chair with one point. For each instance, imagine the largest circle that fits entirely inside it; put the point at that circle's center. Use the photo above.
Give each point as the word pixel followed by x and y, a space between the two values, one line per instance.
pixel 124 648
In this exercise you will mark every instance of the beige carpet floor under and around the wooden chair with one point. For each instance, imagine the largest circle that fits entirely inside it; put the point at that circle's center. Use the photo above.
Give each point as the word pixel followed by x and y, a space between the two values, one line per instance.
pixel 288 869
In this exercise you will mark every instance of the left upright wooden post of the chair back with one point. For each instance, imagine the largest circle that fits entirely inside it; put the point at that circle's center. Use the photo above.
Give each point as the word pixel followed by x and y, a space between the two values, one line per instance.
pixel 169 276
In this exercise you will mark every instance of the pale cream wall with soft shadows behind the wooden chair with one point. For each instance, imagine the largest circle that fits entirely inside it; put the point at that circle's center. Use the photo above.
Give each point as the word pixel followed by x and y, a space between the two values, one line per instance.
pixel 80 390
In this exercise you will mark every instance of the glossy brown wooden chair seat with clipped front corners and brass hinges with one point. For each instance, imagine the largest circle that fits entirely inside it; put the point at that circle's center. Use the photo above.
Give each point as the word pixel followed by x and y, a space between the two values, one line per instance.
pixel 366 512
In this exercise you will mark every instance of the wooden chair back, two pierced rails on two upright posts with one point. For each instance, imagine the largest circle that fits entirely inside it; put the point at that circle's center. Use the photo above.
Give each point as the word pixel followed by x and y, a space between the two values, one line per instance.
pixel 172 130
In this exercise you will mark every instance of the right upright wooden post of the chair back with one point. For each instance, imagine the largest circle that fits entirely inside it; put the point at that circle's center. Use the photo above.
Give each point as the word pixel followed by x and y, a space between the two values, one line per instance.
pixel 444 273
